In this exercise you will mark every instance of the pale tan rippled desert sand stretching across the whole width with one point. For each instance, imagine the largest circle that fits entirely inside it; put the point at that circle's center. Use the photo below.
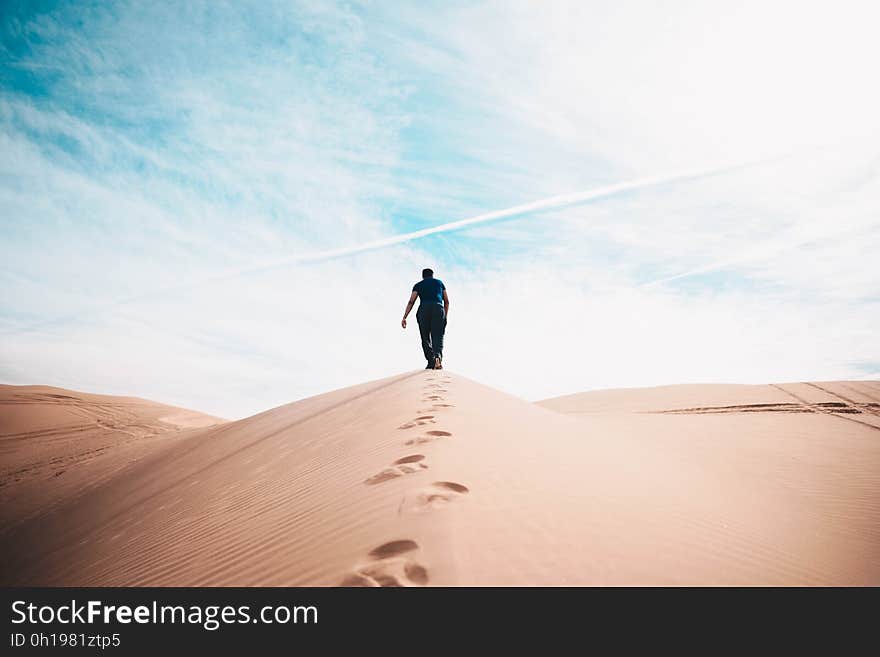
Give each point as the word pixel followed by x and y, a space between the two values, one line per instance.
pixel 428 478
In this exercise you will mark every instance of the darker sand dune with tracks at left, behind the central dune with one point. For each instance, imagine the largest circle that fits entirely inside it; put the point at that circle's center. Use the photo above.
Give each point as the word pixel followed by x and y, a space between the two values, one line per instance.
pixel 55 443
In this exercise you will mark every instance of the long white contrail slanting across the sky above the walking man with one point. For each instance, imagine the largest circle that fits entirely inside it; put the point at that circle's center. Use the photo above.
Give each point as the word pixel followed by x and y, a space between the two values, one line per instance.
pixel 550 203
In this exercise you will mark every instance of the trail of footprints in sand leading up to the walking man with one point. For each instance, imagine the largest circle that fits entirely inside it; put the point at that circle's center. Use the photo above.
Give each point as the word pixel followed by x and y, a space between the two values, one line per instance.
pixel 395 563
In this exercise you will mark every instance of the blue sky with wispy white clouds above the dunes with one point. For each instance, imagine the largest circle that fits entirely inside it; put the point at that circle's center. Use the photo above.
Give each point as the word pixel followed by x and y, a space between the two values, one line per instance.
pixel 224 205
